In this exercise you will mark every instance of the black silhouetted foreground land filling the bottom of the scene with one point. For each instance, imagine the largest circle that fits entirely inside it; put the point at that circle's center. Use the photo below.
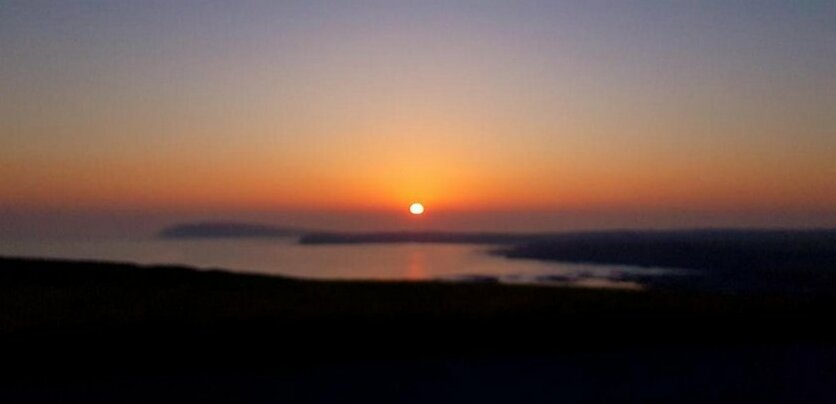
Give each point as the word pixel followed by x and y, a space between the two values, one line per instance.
pixel 83 330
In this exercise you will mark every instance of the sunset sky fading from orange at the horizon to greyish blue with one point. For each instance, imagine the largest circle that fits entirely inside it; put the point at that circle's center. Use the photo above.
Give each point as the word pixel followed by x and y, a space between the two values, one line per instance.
pixel 506 115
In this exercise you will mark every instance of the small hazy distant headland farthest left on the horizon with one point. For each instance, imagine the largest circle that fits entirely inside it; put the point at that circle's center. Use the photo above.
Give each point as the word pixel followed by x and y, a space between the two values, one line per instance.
pixel 227 230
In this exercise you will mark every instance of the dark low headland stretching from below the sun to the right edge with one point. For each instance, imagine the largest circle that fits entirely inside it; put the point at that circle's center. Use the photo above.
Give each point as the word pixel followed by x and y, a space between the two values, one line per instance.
pixel 778 261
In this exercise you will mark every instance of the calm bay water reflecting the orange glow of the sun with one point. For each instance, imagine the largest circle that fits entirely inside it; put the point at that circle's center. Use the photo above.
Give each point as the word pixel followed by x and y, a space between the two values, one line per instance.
pixel 372 261
